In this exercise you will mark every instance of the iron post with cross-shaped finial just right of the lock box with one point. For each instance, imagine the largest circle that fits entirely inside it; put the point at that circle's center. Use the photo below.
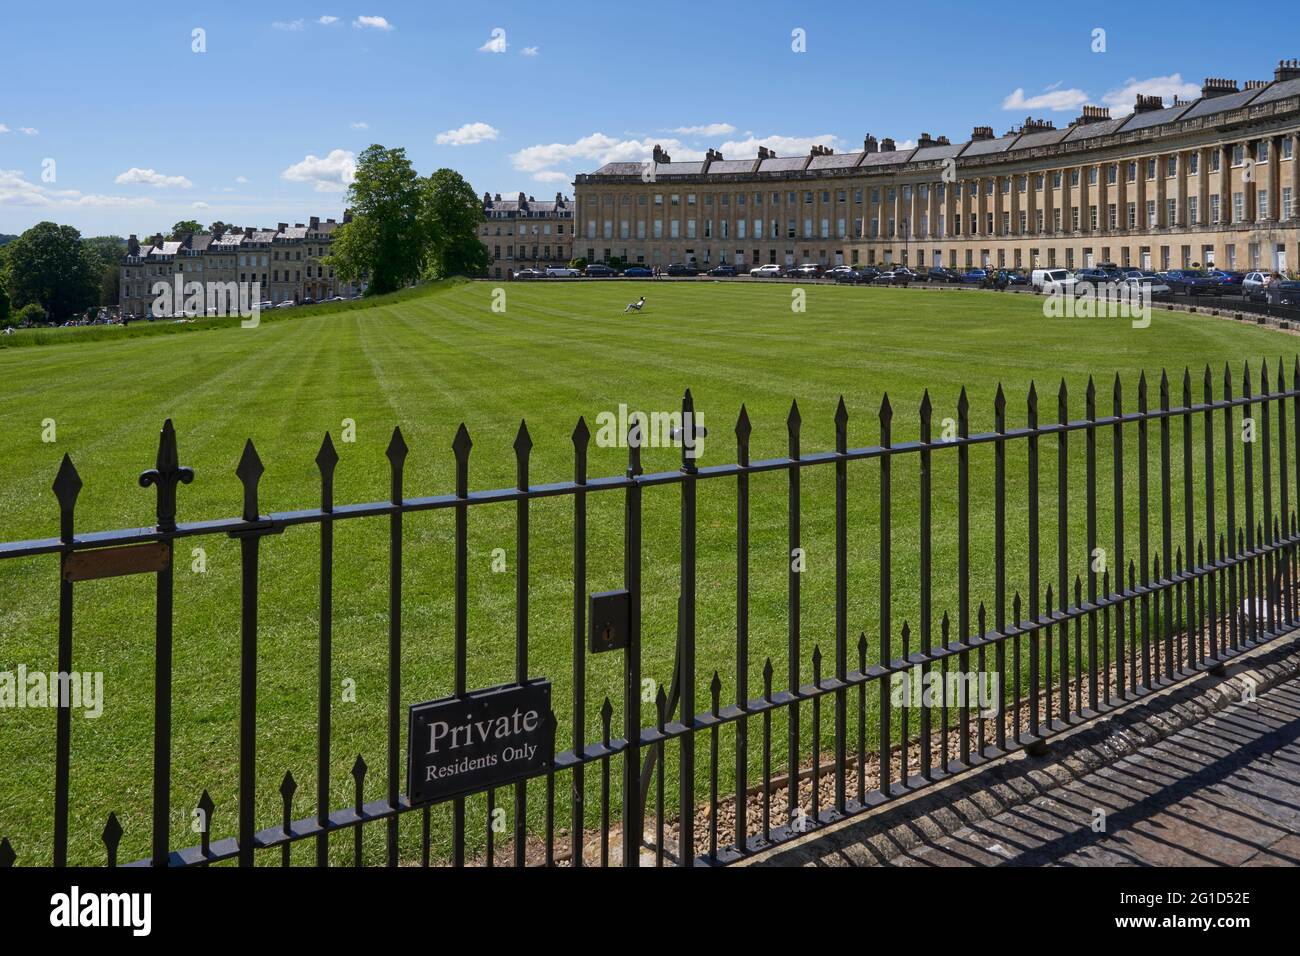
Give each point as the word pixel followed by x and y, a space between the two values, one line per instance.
pixel 687 743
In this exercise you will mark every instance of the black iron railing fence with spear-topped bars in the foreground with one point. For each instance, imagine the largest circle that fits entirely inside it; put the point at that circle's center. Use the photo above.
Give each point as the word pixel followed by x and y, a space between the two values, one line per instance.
pixel 1073 647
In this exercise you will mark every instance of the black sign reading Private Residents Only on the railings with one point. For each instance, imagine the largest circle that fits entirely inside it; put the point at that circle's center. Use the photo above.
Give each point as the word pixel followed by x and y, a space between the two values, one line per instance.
pixel 488 738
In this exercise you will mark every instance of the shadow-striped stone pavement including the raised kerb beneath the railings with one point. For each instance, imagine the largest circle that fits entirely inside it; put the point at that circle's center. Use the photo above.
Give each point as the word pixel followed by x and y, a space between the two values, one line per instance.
pixel 1223 790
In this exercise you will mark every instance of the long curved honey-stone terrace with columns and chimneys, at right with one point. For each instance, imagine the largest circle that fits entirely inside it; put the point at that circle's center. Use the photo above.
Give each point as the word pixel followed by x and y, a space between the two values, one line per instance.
pixel 1212 180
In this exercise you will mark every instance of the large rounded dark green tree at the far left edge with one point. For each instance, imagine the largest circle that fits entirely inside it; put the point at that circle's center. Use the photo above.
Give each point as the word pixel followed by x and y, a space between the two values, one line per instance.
pixel 51 266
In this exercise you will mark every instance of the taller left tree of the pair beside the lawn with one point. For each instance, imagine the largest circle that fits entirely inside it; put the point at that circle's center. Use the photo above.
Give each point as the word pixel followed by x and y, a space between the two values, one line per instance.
pixel 385 241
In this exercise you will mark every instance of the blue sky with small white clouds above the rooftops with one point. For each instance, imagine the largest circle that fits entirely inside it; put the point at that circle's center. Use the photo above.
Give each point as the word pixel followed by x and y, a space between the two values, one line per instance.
pixel 112 123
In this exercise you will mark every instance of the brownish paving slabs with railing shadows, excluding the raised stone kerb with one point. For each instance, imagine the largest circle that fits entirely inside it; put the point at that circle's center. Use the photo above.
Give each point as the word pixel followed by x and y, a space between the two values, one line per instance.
pixel 1221 794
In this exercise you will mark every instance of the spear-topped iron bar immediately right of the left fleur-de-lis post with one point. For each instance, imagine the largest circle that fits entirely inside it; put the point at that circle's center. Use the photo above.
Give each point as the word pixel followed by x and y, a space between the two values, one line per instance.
pixel 249 473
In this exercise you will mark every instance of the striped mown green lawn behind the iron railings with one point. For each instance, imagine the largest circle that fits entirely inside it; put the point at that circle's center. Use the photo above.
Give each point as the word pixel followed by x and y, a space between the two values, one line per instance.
pixel 558 352
